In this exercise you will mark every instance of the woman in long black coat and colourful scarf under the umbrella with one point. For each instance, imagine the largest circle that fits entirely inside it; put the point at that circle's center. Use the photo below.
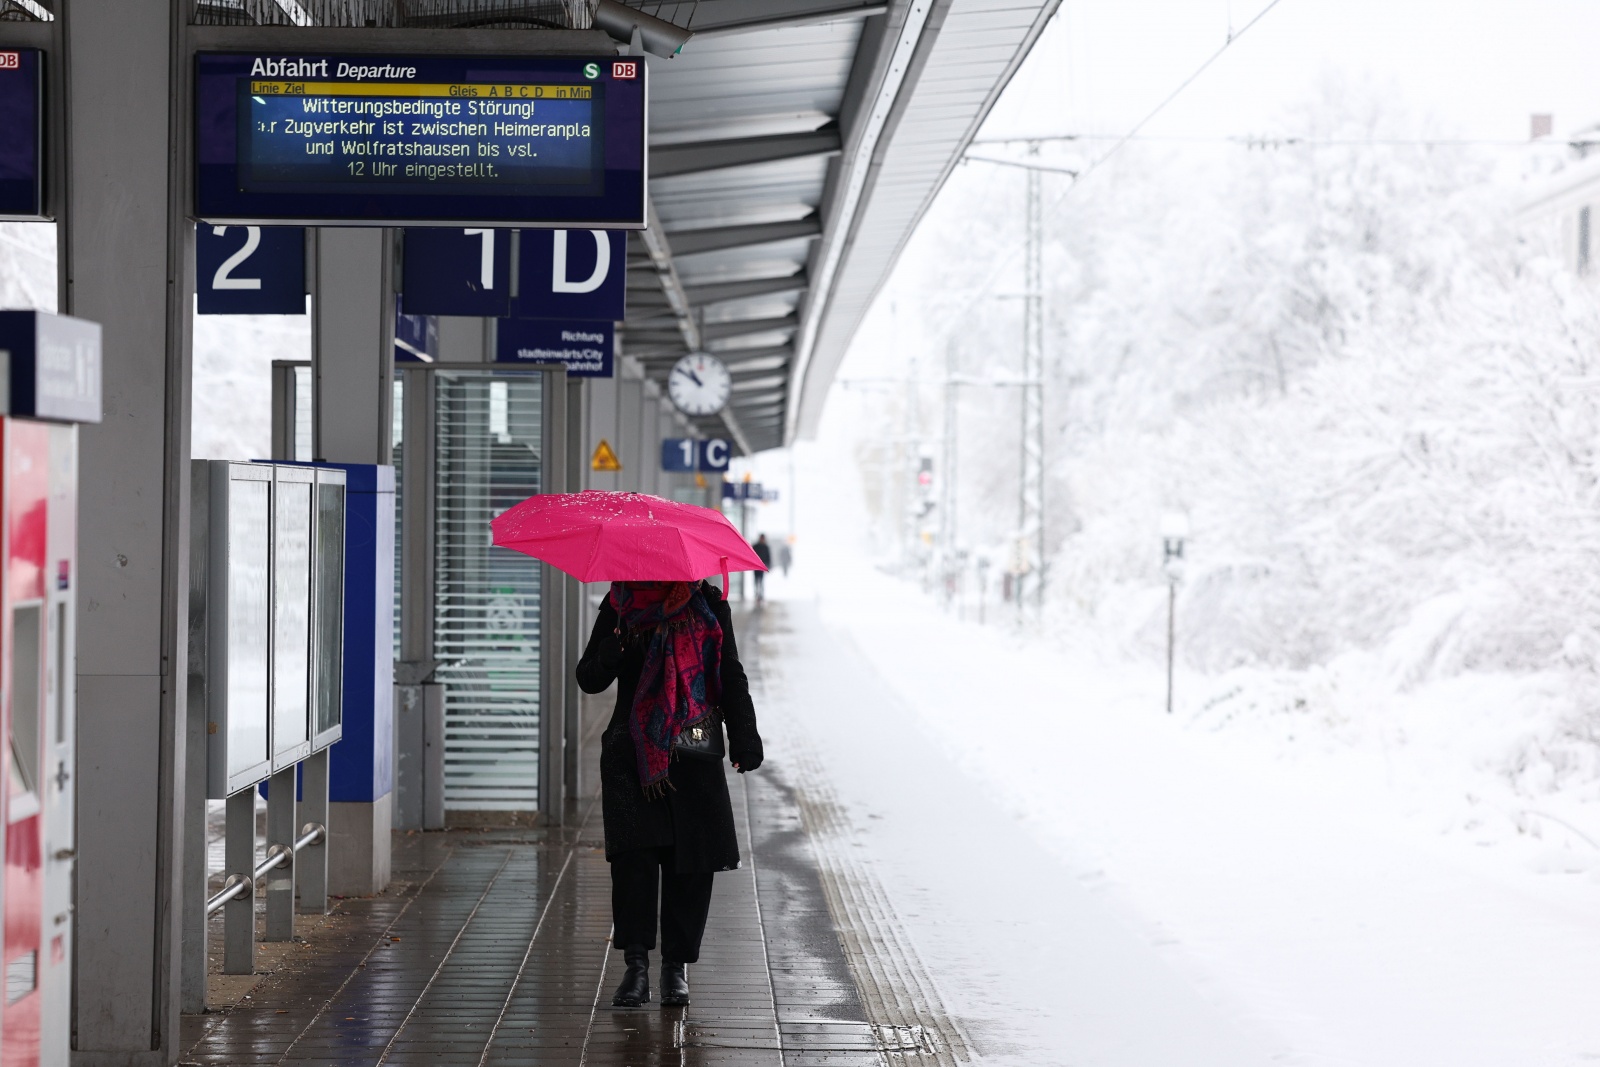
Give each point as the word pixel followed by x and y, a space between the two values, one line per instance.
pixel 674 833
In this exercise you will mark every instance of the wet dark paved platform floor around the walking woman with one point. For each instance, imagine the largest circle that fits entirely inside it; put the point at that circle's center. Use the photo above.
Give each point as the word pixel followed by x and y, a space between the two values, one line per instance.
pixel 494 948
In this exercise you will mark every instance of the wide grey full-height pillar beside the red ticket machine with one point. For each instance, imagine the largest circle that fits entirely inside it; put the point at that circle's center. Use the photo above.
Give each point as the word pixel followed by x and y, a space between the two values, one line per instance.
pixel 127 263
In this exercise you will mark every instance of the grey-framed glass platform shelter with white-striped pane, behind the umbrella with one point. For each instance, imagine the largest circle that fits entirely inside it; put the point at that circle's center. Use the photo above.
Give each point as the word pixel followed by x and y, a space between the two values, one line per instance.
pixel 468 442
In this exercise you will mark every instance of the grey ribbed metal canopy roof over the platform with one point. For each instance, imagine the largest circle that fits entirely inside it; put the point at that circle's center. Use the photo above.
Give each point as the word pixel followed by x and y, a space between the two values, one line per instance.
pixel 794 148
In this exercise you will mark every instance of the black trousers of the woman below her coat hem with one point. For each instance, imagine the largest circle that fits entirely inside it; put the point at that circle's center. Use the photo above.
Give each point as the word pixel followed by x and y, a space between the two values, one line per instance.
pixel 686 901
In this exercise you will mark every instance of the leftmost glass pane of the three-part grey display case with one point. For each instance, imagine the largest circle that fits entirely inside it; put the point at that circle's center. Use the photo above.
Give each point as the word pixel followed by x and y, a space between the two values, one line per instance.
pixel 249 623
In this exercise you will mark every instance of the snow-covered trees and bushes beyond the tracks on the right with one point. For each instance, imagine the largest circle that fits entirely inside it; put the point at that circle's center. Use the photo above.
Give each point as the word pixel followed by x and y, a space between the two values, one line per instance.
pixel 1377 399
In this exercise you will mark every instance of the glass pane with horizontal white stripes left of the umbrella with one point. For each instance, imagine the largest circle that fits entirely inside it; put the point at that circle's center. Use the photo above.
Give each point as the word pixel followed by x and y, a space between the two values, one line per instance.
pixel 489 438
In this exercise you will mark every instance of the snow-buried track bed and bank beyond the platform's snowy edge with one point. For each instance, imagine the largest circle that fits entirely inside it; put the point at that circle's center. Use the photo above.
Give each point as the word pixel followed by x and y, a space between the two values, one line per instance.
pixel 1374 876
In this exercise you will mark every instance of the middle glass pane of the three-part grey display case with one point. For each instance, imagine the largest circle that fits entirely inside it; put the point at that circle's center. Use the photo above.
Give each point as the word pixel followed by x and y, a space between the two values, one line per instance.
pixel 292 617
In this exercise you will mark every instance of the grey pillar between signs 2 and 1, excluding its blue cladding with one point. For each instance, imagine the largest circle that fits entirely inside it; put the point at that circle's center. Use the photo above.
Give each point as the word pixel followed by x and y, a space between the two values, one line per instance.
pixel 353 398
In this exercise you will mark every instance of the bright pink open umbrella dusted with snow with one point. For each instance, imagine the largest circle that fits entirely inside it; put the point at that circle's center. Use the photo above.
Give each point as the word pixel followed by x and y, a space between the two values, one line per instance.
pixel 599 537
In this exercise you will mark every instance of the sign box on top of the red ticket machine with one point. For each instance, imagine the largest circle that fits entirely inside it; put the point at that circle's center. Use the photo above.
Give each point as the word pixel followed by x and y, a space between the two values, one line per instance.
pixel 52 366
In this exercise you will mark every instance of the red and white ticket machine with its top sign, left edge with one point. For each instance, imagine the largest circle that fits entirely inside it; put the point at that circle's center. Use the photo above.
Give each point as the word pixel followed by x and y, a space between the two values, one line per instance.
pixel 52 369
